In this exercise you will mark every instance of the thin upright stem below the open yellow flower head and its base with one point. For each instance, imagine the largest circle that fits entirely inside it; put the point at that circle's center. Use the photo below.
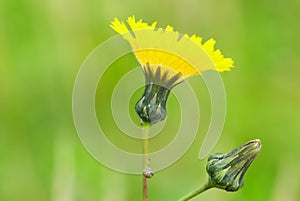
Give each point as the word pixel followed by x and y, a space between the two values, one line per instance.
pixel 145 160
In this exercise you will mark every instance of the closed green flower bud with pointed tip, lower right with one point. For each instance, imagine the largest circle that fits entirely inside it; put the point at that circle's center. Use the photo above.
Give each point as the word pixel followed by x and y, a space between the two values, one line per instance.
pixel 226 171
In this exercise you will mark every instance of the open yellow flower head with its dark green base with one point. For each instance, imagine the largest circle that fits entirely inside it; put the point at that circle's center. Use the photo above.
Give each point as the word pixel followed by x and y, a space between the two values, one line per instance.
pixel 167 58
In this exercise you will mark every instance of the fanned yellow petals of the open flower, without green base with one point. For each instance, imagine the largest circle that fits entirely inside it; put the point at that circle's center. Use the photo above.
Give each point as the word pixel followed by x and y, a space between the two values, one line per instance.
pixel 166 48
